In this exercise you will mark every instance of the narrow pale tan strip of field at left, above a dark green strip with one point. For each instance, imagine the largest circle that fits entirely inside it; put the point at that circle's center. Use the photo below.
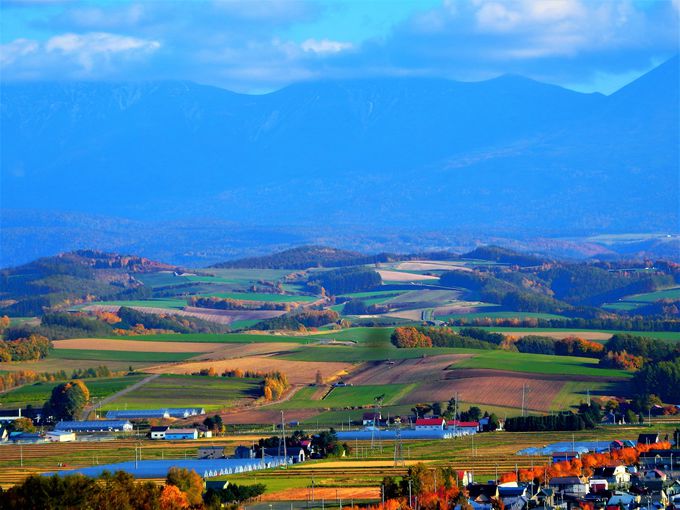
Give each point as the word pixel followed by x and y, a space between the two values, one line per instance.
pixel 110 344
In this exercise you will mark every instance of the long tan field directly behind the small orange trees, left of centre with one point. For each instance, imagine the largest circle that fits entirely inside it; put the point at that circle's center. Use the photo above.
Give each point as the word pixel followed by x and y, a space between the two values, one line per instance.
pixel 298 372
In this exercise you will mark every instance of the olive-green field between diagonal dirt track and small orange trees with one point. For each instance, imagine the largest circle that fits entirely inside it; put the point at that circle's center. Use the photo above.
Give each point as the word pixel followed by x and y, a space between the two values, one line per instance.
pixel 190 391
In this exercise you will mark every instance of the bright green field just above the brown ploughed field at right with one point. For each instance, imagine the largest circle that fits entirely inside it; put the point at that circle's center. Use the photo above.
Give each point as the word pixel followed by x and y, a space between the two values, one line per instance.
pixel 535 363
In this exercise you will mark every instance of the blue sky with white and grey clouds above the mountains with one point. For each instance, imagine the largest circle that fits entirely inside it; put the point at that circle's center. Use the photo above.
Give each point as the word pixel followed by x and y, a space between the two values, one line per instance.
pixel 257 46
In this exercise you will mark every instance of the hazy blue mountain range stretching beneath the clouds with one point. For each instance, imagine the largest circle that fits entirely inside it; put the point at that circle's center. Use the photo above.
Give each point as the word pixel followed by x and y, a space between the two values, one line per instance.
pixel 504 155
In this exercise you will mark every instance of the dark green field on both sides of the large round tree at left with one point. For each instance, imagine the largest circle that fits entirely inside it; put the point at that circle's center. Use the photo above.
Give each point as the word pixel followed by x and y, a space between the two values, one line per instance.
pixel 38 393
